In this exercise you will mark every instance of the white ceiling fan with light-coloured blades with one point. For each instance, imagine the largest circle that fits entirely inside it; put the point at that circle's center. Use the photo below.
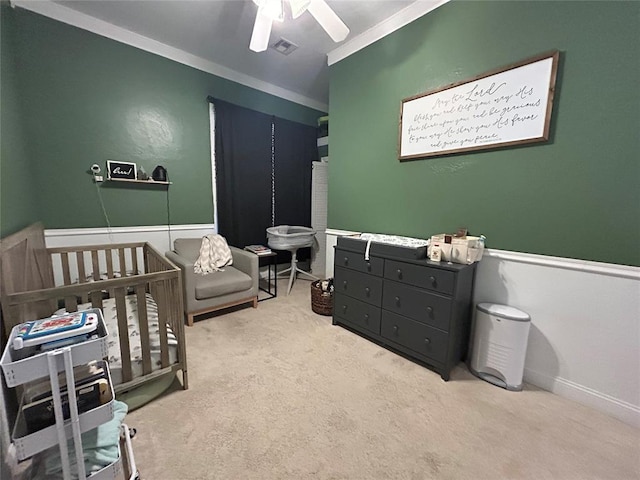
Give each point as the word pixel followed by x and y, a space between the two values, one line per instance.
pixel 270 10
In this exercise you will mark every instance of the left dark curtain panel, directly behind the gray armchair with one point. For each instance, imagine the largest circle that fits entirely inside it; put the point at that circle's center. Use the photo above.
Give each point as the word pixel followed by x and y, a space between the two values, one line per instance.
pixel 243 173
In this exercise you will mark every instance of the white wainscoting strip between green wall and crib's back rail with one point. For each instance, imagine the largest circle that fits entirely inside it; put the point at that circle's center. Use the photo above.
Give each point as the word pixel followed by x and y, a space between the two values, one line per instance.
pixel 160 236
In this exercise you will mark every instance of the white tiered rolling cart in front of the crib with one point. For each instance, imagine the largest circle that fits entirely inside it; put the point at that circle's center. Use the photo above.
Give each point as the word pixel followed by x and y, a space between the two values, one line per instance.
pixel 20 367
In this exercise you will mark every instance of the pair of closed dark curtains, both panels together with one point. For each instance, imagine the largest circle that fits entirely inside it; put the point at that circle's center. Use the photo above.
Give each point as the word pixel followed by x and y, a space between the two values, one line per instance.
pixel 250 147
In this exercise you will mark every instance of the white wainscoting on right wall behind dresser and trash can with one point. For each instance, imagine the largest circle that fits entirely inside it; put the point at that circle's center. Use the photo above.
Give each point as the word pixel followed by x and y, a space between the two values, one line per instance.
pixel 584 342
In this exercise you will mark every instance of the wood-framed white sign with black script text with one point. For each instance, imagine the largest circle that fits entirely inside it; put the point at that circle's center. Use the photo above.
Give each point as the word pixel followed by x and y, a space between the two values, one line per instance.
pixel 508 106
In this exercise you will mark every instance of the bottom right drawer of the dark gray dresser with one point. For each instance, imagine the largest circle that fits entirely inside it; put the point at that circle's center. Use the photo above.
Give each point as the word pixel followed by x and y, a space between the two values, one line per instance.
pixel 420 338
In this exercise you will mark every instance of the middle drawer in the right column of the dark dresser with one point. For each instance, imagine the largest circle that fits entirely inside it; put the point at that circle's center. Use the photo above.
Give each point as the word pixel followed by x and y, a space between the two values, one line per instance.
pixel 421 305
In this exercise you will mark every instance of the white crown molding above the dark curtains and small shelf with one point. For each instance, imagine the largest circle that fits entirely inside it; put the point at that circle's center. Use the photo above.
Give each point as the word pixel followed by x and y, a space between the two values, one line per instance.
pixel 77 19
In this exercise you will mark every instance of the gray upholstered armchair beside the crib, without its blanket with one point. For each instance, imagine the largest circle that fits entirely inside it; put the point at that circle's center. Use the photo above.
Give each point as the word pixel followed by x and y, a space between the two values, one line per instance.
pixel 237 284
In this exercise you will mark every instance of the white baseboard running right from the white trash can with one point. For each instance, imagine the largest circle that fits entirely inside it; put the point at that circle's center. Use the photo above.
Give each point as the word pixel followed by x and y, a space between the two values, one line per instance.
pixel 627 413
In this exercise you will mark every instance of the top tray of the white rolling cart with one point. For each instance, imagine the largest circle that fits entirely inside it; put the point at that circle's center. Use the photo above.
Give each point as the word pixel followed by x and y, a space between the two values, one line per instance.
pixel 18 370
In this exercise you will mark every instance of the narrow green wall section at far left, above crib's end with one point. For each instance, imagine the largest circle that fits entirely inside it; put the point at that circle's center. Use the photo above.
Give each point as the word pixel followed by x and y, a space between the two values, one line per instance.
pixel 17 200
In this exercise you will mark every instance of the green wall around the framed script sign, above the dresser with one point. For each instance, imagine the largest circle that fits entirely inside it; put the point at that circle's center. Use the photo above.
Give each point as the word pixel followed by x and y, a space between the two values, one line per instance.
pixel 576 196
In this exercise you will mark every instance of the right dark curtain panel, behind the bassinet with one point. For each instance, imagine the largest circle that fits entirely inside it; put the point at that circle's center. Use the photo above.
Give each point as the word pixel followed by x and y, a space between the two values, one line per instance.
pixel 295 148
